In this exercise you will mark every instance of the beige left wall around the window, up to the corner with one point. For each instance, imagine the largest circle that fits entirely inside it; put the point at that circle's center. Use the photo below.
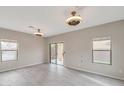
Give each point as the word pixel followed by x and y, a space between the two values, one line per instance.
pixel 31 51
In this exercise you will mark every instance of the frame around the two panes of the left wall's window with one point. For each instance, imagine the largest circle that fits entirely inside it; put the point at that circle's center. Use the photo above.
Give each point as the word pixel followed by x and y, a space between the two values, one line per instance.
pixel 13 41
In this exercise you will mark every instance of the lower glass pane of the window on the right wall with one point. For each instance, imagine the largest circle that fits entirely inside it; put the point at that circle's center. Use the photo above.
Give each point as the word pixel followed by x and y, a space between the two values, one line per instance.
pixel 101 57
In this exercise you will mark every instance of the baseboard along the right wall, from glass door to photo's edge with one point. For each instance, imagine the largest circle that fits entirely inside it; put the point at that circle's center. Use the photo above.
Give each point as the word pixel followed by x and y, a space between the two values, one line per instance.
pixel 80 69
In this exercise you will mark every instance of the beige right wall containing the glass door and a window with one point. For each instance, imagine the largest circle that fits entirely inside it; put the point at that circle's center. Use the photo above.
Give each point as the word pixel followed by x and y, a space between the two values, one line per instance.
pixel 78 48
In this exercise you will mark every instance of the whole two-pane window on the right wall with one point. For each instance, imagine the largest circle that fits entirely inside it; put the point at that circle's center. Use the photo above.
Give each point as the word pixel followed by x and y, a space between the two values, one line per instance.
pixel 102 50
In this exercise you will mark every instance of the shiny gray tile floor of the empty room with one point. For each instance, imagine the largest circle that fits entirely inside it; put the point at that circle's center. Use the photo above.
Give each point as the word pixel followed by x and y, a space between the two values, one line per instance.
pixel 54 75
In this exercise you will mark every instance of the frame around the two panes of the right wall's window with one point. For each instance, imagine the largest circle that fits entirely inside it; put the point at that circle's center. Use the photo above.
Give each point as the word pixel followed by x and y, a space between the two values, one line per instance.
pixel 102 39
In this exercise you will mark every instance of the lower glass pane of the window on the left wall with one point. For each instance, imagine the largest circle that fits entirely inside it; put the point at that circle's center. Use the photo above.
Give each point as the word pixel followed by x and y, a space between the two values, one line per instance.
pixel 9 55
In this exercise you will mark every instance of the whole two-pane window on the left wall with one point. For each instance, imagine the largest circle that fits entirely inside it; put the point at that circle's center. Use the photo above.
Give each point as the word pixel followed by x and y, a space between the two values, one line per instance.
pixel 8 50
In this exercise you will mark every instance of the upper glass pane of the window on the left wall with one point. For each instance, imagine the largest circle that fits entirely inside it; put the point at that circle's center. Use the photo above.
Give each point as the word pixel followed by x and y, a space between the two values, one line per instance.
pixel 8 45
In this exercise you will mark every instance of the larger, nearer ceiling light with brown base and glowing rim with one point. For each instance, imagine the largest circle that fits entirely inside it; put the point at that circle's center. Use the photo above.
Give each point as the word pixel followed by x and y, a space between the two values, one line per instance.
pixel 74 19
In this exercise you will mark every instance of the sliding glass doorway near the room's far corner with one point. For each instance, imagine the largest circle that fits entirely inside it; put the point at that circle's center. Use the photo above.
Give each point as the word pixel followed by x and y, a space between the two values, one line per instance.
pixel 57 53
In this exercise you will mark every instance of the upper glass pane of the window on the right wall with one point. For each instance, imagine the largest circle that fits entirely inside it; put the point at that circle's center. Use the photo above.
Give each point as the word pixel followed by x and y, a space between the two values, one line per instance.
pixel 101 45
